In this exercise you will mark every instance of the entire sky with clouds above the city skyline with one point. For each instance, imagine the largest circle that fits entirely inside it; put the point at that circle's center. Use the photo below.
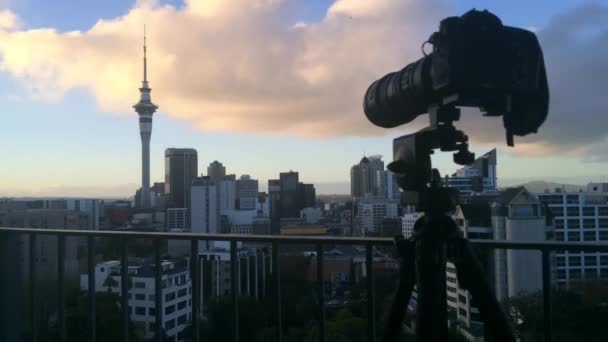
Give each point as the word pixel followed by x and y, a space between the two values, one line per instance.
pixel 265 86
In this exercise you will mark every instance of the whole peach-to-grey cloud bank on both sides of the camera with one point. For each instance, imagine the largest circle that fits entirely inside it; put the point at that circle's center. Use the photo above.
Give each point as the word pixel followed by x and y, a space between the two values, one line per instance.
pixel 236 66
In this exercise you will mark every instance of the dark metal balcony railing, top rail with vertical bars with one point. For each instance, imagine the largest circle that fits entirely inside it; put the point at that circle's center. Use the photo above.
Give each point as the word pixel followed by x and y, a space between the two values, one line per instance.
pixel 546 248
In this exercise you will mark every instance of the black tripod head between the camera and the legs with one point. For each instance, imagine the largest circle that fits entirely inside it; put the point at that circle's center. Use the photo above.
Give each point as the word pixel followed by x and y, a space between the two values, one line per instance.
pixel 412 159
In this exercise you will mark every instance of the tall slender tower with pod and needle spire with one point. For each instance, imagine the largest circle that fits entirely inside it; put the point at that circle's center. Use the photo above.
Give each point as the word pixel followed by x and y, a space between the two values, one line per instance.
pixel 145 108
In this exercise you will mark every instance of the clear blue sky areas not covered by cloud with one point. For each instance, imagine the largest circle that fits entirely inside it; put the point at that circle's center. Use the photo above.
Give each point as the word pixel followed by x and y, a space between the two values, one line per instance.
pixel 70 146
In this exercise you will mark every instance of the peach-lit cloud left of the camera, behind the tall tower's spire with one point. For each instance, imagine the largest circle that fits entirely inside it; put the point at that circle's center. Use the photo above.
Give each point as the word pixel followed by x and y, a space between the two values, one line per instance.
pixel 230 65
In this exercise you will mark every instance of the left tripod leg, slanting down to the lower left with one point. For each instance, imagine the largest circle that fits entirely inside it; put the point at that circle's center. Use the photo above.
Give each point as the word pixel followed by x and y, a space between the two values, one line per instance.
pixel 404 292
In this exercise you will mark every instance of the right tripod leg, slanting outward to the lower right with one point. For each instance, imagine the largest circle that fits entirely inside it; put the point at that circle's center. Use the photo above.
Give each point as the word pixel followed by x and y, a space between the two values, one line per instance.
pixel 470 275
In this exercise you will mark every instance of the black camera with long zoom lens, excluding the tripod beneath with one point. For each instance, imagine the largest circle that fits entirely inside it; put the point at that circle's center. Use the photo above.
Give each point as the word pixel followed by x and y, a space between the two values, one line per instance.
pixel 476 62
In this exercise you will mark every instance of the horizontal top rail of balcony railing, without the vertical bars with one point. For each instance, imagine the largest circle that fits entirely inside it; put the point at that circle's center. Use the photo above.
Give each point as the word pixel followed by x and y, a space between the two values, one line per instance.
pixel 376 241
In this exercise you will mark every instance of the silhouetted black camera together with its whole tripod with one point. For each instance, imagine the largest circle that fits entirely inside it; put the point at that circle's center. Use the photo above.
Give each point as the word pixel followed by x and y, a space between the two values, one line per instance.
pixel 476 62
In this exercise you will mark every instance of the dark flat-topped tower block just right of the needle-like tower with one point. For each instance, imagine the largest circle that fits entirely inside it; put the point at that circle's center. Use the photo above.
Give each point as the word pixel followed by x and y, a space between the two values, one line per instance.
pixel 181 167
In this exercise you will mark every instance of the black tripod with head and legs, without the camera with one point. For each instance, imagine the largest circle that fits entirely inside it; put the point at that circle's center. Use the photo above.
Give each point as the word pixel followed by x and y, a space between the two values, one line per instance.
pixel 436 237
